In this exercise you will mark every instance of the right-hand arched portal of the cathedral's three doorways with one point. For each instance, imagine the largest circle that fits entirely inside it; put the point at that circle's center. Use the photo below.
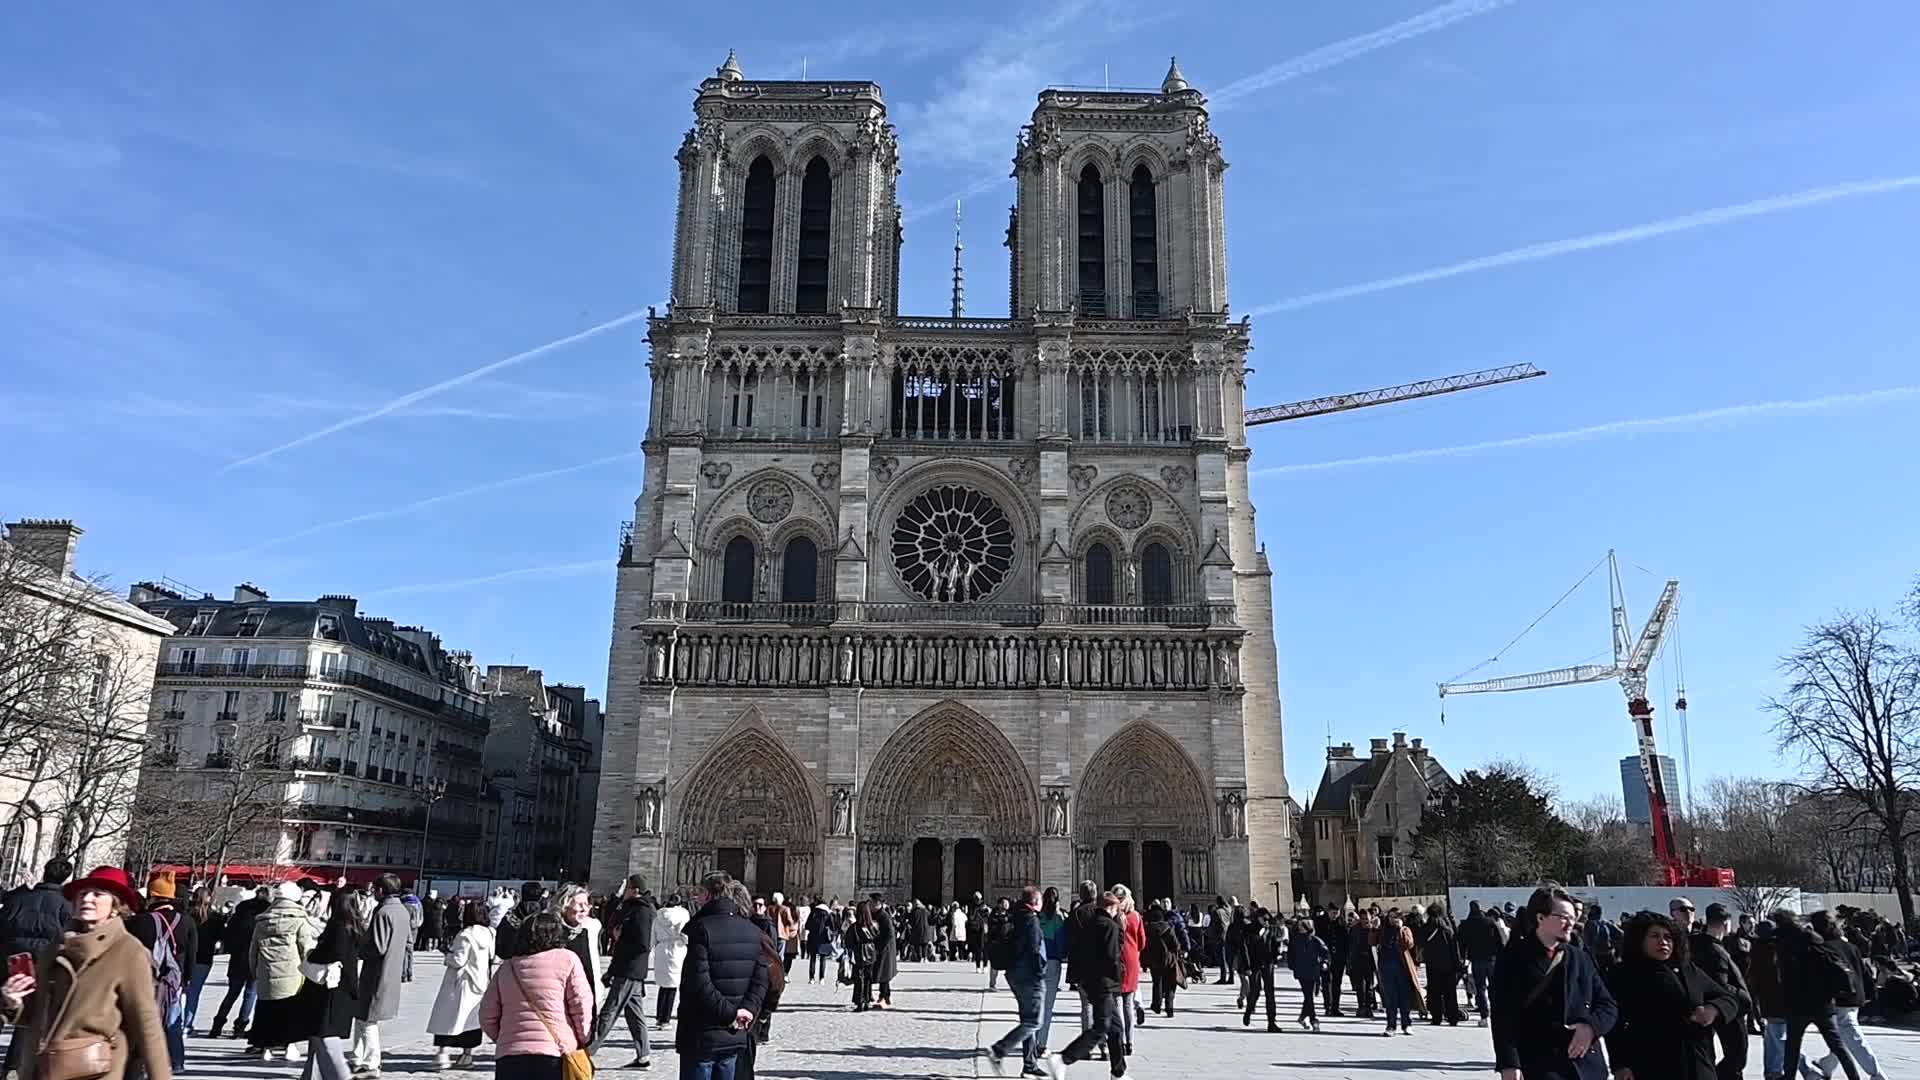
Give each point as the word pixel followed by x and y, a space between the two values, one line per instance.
pixel 1145 818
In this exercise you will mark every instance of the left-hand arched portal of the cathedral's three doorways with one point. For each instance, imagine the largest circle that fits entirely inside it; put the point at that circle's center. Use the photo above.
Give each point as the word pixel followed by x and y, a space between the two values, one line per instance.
pixel 752 812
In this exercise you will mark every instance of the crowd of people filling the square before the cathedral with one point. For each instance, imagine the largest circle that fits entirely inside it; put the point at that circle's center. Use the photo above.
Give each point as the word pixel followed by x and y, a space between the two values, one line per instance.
pixel 107 983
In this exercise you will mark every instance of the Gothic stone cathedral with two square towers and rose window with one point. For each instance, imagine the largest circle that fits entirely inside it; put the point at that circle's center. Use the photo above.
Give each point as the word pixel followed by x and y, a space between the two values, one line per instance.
pixel 932 606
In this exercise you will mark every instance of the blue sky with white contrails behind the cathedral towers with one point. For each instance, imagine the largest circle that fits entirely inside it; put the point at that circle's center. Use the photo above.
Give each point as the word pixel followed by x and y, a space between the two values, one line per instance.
pixel 226 230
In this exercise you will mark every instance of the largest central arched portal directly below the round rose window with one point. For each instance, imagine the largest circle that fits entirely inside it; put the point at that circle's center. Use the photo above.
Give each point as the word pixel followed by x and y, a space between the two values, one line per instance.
pixel 948 791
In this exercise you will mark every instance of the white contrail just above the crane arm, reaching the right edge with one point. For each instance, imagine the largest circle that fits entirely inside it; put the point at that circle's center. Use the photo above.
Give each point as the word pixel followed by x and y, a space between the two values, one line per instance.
pixel 1556 249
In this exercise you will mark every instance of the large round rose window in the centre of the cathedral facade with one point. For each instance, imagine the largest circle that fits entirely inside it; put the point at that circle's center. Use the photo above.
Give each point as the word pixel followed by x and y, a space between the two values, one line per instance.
pixel 953 545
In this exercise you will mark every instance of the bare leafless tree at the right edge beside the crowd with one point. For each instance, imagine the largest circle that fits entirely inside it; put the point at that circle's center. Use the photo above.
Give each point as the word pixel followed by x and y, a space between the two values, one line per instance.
pixel 1852 716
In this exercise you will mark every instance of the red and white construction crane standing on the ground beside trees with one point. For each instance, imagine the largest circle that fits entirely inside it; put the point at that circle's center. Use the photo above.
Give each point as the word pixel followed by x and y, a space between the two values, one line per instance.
pixel 1633 656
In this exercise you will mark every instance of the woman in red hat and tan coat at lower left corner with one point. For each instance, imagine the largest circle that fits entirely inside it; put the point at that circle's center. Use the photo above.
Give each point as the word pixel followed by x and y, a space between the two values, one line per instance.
pixel 93 991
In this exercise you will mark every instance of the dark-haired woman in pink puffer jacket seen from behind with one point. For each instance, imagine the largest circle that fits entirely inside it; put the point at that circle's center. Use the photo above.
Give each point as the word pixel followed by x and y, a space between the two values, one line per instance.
pixel 540 1004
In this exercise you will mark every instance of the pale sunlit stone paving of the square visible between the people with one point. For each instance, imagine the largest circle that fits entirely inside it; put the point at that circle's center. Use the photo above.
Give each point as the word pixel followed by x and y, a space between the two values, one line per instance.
pixel 946 1016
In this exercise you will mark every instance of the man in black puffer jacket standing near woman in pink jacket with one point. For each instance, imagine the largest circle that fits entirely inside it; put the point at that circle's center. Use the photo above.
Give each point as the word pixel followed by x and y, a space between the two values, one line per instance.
pixel 721 987
